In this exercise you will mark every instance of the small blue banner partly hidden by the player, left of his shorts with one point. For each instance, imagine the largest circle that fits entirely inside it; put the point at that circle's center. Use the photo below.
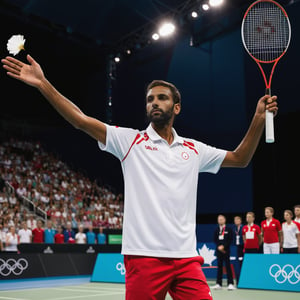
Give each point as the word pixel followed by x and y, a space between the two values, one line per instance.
pixel 109 267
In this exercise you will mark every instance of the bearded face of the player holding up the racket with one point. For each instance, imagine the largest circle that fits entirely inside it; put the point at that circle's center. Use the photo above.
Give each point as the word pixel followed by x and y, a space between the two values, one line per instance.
pixel 160 107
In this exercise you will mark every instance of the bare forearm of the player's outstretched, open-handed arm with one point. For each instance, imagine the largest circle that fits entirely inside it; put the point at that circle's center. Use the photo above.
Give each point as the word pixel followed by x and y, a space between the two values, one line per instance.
pixel 68 110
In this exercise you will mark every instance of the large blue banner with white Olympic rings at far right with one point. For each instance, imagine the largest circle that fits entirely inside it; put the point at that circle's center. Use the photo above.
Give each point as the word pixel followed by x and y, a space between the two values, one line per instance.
pixel 271 272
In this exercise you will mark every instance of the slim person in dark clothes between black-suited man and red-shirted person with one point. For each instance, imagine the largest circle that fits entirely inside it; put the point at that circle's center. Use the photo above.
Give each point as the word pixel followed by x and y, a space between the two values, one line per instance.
pixel 239 244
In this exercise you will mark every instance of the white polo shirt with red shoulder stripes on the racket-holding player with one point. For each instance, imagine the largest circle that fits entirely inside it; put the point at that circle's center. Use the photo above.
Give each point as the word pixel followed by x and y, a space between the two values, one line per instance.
pixel 160 189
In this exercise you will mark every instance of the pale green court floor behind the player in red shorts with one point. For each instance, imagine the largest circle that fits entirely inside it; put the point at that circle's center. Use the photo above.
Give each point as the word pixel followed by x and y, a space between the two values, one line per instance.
pixel 91 291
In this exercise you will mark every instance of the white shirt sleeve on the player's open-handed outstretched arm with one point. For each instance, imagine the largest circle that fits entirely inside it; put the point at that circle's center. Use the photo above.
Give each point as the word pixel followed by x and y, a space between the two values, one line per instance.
pixel 118 140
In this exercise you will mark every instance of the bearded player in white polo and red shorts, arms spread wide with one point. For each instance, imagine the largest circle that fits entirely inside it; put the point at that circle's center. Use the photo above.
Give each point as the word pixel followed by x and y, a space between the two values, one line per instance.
pixel 160 176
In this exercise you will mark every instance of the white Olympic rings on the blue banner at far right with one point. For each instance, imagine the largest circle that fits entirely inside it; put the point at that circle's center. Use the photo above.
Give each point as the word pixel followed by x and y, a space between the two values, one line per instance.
pixel 287 273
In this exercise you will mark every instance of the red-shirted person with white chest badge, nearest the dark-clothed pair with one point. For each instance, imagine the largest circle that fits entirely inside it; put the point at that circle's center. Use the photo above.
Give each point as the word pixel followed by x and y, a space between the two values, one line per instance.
pixel 251 234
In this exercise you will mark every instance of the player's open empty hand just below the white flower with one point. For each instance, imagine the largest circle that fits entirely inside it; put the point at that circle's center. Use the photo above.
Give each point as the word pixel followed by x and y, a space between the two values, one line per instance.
pixel 32 74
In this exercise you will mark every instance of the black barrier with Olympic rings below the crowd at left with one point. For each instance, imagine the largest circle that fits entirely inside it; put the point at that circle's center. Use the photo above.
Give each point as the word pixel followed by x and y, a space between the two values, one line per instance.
pixel 19 266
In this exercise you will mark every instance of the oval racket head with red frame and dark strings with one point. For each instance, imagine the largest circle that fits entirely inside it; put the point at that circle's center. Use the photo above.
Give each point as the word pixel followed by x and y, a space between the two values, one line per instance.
pixel 266 31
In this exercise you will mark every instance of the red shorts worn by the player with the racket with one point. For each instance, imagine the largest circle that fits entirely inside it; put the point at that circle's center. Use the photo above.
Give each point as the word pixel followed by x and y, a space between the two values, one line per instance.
pixel 150 278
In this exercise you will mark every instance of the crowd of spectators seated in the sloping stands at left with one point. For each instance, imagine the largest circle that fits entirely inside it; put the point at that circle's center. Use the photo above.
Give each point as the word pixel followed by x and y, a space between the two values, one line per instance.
pixel 66 196
